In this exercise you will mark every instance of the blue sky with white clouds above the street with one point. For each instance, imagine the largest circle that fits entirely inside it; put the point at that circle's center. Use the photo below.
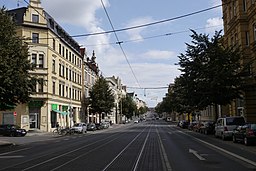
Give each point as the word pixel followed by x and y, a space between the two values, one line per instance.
pixel 146 57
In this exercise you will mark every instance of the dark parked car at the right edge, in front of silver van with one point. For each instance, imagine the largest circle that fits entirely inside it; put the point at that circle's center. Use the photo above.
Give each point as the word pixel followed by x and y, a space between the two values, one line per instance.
pixel 245 133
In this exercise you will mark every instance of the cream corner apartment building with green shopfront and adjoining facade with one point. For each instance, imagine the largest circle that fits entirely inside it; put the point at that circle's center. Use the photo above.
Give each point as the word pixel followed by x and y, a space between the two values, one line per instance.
pixel 63 69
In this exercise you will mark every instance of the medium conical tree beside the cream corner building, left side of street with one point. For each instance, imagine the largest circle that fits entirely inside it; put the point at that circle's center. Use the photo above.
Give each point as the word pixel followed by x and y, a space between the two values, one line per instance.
pixel 101 97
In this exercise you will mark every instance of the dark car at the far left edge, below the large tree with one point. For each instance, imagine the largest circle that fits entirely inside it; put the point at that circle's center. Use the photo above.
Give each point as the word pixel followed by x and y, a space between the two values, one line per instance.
pixel 12 130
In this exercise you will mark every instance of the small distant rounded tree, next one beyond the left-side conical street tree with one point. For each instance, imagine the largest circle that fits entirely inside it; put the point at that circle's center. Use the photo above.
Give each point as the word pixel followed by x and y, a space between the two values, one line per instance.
pixel 128 106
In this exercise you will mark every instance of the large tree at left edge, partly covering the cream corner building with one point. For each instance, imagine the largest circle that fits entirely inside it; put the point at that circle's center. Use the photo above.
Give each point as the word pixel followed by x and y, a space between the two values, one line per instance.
pixel 16 84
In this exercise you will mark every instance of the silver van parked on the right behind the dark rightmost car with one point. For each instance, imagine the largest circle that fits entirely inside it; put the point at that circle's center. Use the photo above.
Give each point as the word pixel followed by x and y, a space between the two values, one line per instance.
pixel 224 126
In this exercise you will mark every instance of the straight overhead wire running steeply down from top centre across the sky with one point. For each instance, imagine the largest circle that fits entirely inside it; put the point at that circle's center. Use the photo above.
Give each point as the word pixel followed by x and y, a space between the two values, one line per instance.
pixel 119 43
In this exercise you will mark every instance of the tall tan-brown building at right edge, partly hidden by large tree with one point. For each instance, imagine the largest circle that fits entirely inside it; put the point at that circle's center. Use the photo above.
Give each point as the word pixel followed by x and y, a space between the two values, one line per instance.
pixel 239 18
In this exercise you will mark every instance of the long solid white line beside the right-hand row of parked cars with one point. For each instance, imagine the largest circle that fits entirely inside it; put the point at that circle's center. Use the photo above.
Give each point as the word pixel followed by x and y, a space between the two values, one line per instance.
pixel 225 151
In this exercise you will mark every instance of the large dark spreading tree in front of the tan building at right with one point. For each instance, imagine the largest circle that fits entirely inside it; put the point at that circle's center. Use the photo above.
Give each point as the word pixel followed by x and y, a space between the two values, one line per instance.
pixel 210 72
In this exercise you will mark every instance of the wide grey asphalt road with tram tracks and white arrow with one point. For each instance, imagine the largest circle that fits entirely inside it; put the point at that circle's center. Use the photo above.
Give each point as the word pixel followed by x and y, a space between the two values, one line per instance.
pixel 148 146
